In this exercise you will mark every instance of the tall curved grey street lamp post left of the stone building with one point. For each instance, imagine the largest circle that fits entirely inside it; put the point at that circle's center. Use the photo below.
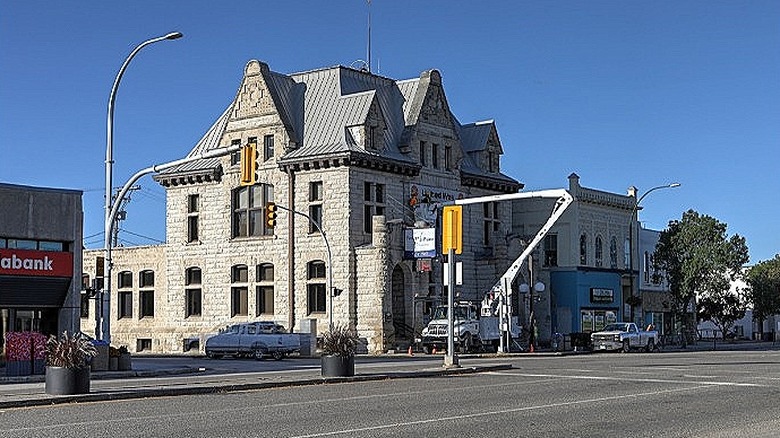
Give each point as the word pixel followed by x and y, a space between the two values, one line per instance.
pixel 108 224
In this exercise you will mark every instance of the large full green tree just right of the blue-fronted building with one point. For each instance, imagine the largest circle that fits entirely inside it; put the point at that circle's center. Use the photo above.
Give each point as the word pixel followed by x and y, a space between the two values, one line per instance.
pixel 698 260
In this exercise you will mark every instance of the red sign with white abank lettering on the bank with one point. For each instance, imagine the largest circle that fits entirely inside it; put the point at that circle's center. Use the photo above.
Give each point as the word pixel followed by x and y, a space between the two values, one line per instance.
pixel 38 263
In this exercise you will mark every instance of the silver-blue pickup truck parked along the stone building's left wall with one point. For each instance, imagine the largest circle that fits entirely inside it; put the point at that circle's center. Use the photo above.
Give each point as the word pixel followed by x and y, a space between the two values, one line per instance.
pixel 253 339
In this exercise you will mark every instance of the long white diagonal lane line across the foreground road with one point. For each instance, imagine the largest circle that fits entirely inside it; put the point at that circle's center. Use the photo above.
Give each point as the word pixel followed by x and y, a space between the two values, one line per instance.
pixel 493 413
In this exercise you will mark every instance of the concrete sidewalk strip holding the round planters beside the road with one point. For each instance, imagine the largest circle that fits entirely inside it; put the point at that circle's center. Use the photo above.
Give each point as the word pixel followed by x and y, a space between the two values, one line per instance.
pixel 16 392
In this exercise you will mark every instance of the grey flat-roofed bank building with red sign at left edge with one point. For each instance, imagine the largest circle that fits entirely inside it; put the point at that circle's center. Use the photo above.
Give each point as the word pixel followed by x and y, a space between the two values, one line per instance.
pixel 40 259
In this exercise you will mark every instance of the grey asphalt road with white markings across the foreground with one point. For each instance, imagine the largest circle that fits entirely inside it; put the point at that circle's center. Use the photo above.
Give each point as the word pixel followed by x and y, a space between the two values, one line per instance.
pixel 688 394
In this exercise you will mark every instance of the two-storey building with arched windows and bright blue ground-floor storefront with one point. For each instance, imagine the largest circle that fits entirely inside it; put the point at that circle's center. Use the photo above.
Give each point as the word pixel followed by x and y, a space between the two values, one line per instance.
pixel 583 261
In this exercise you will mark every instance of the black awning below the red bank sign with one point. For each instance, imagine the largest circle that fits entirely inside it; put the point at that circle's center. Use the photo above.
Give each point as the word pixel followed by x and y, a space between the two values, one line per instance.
pixel 24 291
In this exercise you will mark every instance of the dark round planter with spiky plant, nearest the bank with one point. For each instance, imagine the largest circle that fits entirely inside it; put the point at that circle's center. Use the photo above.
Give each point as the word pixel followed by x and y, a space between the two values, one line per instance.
pixel 67 364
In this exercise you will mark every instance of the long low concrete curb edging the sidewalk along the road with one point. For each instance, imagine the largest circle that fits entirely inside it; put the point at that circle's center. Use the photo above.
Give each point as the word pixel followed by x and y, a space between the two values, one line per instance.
pixel 211 389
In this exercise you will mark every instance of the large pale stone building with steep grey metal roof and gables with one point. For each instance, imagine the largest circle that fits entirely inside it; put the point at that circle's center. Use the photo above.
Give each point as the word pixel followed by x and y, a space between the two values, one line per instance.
pixel 368 158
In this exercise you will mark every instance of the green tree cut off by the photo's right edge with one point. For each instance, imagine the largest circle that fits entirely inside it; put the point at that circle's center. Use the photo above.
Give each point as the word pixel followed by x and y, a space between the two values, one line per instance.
pixel 763 281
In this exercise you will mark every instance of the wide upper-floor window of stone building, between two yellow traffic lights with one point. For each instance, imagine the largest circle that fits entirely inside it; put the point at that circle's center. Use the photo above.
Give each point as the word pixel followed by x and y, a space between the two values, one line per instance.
pixel 249 210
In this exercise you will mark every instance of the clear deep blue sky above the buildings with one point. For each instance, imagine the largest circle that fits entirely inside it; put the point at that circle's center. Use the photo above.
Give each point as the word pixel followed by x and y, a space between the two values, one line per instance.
pixel 622 93
